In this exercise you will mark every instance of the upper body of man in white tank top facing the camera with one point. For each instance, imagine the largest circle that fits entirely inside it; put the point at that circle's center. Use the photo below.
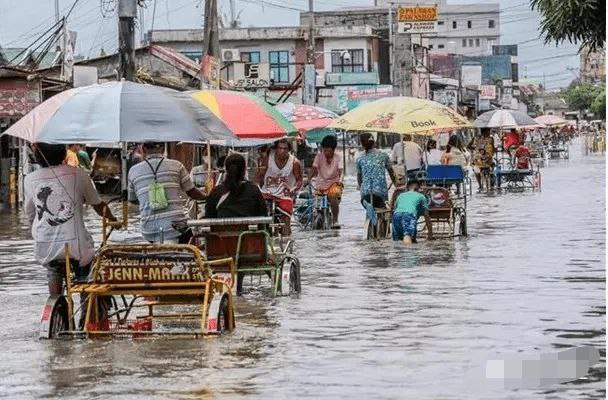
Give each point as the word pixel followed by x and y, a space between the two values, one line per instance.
pixel 280 171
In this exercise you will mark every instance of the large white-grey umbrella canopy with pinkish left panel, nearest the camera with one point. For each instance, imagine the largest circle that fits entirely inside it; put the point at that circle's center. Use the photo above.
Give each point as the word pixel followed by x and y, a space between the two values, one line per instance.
pixel 119 112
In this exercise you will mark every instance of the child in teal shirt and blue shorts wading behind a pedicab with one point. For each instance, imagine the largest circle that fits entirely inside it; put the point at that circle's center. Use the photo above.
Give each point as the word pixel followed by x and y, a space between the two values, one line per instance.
pixel 409 206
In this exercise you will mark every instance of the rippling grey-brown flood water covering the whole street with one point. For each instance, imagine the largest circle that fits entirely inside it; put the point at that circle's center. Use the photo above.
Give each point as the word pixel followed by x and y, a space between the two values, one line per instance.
pixel 375 320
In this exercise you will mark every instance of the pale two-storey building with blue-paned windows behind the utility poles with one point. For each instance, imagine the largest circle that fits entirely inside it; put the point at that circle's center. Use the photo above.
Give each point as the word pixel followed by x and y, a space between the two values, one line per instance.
pixel 282 51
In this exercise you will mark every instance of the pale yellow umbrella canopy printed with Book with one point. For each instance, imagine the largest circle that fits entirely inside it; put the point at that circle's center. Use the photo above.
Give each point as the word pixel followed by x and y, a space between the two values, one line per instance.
pixel 403 115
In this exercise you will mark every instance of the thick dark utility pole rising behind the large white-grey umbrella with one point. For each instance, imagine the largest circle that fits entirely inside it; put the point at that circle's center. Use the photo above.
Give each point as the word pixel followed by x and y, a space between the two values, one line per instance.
pixel 127 12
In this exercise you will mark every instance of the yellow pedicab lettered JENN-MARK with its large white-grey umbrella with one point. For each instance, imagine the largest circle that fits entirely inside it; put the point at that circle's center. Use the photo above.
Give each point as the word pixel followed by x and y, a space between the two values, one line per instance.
pixel 133 289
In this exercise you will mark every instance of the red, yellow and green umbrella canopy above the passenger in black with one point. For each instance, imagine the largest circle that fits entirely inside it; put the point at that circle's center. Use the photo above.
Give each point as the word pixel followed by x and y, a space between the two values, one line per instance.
pixel 247 115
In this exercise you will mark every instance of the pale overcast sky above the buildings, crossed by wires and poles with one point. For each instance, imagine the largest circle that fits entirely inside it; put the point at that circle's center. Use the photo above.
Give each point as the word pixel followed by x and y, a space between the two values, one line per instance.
pixel 23 20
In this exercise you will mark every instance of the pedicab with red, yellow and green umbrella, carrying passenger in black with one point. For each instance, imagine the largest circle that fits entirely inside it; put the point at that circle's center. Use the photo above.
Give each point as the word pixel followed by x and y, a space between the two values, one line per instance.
pixel 256 244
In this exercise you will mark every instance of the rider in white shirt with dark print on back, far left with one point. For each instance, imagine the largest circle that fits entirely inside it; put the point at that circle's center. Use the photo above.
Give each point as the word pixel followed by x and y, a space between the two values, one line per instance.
pixel 54 196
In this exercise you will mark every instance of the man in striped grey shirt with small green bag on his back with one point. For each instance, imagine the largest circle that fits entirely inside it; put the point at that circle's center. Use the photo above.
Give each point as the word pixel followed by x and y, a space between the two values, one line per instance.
pixel 157 225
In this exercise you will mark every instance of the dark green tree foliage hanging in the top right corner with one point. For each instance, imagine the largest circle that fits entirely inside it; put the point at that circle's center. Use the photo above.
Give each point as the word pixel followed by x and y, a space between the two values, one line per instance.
pixel 575 21
